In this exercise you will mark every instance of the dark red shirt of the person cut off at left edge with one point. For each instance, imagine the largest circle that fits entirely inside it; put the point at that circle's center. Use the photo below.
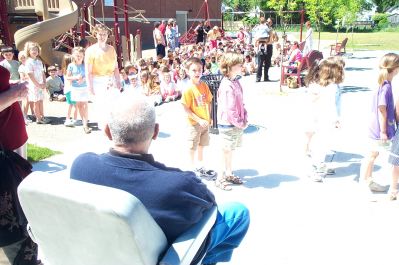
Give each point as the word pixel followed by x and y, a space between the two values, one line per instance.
pixel 12 125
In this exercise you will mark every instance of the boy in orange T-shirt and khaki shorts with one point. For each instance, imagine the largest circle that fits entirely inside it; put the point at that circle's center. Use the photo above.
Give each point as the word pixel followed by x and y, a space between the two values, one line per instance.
pixel 196 100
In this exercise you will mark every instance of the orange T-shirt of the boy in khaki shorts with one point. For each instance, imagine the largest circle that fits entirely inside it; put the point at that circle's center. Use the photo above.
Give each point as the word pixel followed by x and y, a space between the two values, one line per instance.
pixel 198 99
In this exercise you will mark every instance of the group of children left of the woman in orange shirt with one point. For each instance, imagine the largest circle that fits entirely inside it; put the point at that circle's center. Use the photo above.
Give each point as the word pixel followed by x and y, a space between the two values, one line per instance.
pixel 65 83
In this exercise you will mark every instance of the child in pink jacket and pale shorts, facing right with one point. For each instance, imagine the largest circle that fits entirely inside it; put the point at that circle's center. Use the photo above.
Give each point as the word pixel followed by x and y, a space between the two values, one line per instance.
pixel 232 115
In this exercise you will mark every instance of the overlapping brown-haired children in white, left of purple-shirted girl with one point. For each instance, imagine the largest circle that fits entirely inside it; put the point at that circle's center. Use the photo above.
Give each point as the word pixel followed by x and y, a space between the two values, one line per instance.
pixel 323 80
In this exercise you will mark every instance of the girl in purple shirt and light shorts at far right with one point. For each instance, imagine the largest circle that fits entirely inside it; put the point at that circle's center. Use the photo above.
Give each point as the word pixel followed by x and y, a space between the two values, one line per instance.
pixel 382 122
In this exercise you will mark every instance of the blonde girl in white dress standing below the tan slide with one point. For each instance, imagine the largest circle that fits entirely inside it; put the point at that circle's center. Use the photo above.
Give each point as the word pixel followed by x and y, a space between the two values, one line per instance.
pixel 37 80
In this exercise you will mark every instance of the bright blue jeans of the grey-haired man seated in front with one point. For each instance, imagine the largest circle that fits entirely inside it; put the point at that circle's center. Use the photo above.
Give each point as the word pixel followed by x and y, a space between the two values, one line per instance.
pixel 231 225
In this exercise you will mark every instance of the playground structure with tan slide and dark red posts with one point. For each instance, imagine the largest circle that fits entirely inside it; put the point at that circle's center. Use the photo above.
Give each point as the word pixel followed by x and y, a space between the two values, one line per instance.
pixel 61 24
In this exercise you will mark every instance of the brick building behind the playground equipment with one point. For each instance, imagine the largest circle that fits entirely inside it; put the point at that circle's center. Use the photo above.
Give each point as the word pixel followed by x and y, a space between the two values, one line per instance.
pixel 186 12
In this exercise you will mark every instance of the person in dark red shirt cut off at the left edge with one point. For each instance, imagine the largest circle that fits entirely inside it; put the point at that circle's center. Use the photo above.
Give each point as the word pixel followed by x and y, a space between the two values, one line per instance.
pixel 14 239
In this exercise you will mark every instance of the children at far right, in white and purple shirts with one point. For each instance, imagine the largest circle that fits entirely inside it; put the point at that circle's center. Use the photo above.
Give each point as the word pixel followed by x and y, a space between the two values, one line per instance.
pixel 324 82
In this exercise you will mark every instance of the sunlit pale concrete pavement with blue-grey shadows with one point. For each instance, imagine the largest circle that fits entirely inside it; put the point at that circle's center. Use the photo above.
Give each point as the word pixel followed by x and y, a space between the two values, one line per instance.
pixel 293 220
